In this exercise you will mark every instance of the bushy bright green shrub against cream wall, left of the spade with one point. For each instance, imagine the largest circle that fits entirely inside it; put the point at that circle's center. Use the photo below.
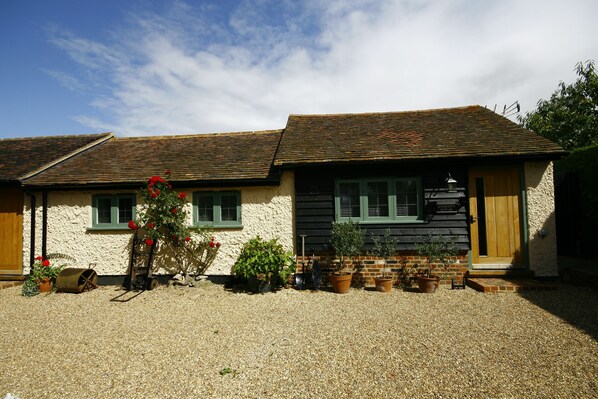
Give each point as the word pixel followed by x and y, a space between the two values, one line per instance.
pixel 266 260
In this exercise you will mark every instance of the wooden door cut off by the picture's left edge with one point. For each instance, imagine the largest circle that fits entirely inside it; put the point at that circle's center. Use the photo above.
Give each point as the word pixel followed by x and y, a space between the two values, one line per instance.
pixel 11 232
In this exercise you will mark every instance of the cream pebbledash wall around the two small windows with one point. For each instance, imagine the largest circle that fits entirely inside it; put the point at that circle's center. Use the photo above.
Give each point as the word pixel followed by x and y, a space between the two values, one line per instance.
pixel 266 211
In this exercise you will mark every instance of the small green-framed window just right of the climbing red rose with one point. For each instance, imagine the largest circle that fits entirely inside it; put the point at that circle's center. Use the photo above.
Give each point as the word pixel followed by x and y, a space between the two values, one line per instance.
pixel 217 208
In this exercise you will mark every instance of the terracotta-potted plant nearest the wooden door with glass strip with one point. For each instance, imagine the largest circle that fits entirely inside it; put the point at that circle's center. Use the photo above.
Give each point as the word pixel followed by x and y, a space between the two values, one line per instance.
pixel 438 251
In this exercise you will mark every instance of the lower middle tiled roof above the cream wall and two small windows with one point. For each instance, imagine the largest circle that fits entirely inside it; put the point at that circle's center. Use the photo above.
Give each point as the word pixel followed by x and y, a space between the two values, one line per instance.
pixel 191 158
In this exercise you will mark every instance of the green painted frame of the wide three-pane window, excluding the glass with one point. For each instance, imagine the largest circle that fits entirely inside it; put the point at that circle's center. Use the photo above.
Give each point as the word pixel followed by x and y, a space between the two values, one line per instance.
pixel 392 217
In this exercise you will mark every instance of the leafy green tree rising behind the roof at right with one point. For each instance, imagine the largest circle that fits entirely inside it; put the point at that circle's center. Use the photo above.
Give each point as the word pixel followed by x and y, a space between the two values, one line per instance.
pixel 570 117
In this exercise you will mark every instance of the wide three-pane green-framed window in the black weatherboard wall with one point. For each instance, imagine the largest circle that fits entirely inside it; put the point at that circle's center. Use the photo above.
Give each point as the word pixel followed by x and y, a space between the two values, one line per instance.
pixel 385 200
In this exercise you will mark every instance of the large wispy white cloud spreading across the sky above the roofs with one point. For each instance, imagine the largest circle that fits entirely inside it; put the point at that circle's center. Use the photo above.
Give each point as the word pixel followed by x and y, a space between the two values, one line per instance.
pixel 186 72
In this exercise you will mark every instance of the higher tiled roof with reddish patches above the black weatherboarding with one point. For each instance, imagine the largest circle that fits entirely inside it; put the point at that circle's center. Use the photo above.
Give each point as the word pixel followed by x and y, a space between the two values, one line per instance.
pixel 443 133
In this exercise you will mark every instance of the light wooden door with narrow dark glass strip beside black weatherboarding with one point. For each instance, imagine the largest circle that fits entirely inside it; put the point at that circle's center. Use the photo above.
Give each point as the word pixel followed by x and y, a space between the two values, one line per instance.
pixel 495 218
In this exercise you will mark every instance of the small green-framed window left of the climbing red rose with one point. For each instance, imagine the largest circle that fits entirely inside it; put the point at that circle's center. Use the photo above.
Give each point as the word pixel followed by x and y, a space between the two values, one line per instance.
pixel 113 211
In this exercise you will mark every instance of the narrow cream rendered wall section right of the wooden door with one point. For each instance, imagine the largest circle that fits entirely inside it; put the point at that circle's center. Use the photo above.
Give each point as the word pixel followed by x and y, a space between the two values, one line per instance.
pixel 539 185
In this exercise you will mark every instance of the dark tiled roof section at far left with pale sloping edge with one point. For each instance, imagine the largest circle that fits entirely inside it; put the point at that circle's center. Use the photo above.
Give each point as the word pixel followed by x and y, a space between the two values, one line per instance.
pixel 23 156
